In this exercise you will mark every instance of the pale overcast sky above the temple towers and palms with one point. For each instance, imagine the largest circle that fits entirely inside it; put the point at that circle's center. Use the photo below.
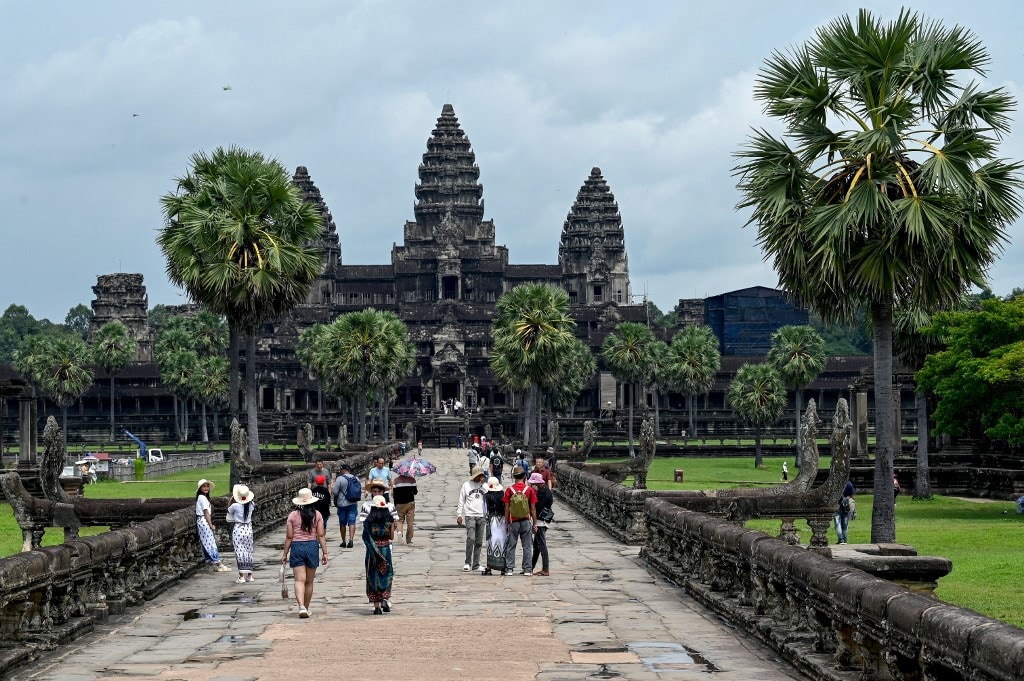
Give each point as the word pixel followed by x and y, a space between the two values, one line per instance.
pixel 105 103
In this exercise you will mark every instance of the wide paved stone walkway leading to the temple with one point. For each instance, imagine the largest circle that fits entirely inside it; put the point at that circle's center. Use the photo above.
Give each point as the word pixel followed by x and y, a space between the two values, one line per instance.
pixel 600 616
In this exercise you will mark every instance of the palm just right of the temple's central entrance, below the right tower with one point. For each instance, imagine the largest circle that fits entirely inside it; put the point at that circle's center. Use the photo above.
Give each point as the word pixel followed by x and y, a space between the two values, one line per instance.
pixel 533 336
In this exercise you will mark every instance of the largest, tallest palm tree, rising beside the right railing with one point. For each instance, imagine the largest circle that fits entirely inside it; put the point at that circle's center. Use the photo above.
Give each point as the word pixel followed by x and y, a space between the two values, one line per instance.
pixel 888 190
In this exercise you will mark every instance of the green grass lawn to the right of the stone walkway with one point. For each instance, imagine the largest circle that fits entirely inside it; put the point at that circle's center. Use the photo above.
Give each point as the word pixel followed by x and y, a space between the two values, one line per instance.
pixel 985 540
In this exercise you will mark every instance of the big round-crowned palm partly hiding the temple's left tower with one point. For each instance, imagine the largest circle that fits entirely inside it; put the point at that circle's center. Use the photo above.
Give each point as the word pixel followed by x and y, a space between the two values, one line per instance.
pixel 236 238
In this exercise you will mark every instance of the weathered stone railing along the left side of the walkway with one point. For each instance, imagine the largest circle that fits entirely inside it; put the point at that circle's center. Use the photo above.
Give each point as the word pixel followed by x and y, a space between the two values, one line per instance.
pixel 51 597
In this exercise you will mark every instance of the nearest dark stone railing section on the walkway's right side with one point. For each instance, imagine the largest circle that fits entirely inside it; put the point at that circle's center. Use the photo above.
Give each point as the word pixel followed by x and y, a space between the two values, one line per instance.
pixel 830 620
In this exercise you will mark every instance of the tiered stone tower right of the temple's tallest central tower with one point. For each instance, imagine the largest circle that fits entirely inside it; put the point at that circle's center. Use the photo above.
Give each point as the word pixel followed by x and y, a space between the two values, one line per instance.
pixel 592 252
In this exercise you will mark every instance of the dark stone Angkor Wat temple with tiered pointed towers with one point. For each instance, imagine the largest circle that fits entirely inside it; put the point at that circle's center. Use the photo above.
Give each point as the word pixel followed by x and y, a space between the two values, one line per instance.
pixel 443 281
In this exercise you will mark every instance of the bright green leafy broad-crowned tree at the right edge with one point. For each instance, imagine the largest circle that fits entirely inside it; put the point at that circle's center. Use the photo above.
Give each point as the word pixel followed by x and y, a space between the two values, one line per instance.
pixel 978 379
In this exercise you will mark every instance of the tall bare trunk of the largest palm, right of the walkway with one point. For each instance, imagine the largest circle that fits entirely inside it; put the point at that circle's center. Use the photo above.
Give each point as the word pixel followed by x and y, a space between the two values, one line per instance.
pixel 884 512
